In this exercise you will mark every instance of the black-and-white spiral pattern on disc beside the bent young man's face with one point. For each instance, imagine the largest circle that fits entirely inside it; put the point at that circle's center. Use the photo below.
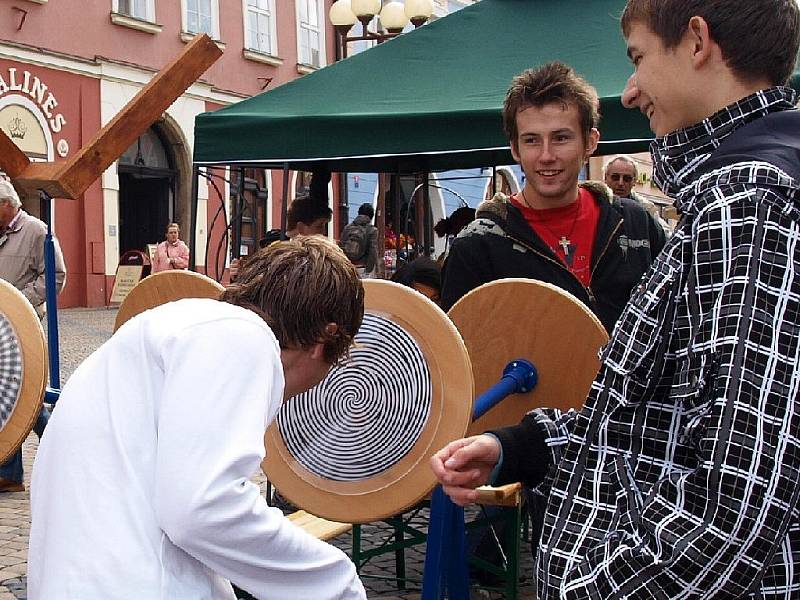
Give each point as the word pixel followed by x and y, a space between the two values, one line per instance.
pixel 366 414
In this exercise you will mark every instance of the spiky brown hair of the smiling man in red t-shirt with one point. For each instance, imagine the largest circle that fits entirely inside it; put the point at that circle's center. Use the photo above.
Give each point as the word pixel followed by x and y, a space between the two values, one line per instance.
pixel 552 82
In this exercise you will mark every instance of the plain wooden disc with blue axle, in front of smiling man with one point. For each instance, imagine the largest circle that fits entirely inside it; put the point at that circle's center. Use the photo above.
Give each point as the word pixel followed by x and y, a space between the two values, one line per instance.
pixel 509 319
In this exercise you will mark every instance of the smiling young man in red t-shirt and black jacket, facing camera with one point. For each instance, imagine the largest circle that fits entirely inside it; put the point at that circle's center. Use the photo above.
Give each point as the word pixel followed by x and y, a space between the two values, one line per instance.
pixel 578 237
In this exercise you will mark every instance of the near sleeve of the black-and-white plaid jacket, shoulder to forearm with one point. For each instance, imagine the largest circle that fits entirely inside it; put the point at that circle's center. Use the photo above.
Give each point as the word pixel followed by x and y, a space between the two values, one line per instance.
pixel 720 529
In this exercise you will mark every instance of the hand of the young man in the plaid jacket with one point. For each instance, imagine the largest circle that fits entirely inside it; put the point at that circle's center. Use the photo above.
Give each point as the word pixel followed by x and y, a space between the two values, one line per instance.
pixel 465 464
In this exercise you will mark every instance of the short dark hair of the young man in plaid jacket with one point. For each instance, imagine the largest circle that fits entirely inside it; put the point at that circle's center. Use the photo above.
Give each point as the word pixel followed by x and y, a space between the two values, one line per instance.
pixel 757 37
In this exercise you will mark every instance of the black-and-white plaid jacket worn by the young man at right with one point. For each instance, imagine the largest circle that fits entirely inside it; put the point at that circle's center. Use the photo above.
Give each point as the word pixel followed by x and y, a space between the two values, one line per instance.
pixel 681 475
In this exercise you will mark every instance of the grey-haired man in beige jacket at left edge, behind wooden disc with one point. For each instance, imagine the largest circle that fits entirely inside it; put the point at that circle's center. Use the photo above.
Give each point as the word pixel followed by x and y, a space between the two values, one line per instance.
pixel 22 265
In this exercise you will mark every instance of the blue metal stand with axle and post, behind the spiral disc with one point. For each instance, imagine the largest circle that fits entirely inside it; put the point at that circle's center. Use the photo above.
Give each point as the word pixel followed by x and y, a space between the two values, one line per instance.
pixel 446 573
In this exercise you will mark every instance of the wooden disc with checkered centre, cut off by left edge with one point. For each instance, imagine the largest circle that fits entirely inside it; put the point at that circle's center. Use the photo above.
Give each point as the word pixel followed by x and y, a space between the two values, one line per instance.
pixel 23 368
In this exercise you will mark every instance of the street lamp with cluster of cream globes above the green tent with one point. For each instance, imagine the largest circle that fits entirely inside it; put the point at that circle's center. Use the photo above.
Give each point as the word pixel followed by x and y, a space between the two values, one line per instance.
pixel 394 16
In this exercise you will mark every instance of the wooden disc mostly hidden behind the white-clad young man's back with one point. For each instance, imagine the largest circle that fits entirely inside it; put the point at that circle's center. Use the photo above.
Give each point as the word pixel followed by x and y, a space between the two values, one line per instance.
pixel 165 286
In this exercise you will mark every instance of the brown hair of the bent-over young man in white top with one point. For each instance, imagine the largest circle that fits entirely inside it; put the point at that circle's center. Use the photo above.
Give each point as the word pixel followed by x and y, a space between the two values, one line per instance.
pixel 298 287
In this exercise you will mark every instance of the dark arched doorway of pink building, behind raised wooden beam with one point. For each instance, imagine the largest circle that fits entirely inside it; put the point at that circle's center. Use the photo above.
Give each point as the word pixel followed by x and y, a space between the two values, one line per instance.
pixel 147 182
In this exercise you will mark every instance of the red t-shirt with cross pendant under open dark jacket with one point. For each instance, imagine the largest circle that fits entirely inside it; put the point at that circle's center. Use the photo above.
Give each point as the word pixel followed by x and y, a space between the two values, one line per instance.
pixel 569 231
